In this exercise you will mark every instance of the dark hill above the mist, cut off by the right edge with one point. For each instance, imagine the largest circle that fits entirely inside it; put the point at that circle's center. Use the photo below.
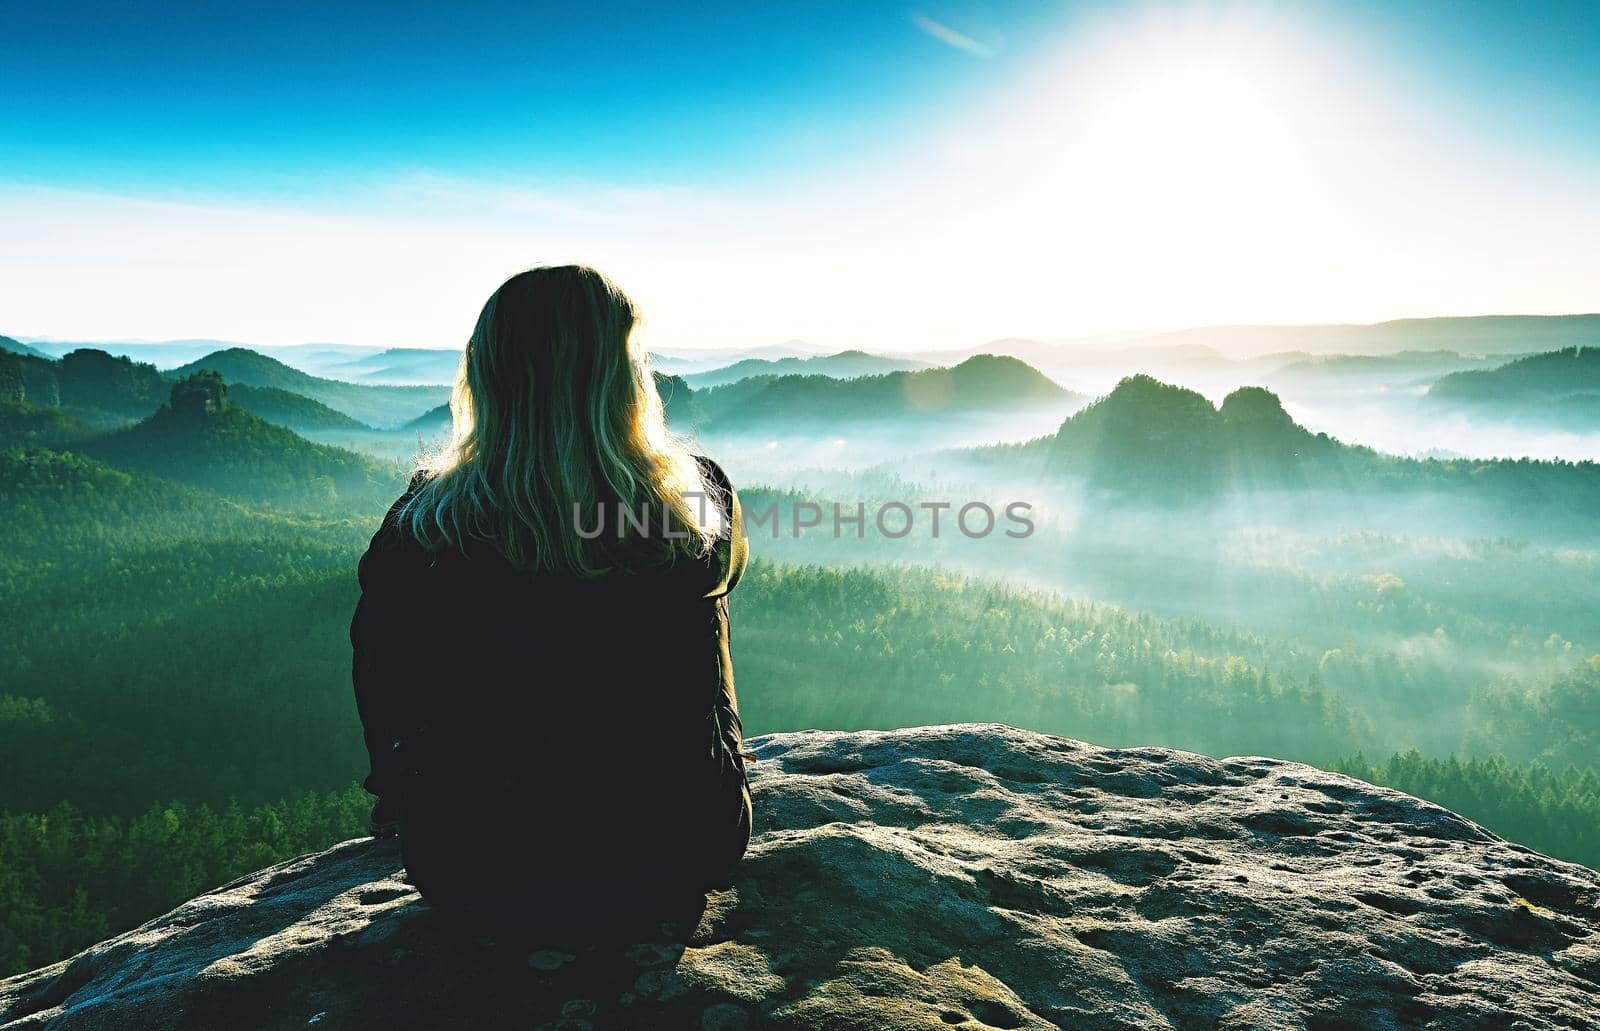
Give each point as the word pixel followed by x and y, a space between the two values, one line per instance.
pixel 1559 388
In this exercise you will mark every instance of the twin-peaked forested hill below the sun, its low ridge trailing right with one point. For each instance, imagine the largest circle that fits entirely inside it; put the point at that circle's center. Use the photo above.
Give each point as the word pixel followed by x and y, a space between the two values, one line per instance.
pixel 1162 443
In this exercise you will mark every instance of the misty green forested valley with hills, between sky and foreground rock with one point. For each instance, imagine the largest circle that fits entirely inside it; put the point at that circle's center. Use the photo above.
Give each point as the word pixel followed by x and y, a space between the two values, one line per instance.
pixel 1383 564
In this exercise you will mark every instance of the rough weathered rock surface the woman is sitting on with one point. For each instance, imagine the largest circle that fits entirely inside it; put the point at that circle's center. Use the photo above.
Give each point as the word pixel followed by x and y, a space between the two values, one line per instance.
pixel 940 878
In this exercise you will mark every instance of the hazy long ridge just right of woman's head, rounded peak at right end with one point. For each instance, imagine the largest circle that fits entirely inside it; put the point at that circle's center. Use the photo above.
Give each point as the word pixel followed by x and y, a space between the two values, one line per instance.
pixel 983 385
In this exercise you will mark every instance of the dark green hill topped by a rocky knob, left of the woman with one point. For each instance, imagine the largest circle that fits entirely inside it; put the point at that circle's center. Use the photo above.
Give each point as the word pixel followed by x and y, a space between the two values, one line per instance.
pixel 204 441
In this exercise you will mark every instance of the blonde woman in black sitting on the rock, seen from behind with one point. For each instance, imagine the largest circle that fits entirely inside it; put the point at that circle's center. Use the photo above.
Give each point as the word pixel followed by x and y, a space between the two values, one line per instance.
pixel 542 646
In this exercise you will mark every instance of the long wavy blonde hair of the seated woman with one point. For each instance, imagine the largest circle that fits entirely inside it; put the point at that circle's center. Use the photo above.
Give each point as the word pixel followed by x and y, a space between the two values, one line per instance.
pixel 556 423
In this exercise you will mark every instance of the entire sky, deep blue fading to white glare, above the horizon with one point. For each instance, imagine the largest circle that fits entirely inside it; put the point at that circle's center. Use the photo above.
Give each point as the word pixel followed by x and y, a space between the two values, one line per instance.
pixel 879 175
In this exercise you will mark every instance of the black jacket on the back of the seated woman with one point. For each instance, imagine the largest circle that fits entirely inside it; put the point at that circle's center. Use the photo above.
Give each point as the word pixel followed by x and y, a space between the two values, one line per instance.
pixel 542 737
